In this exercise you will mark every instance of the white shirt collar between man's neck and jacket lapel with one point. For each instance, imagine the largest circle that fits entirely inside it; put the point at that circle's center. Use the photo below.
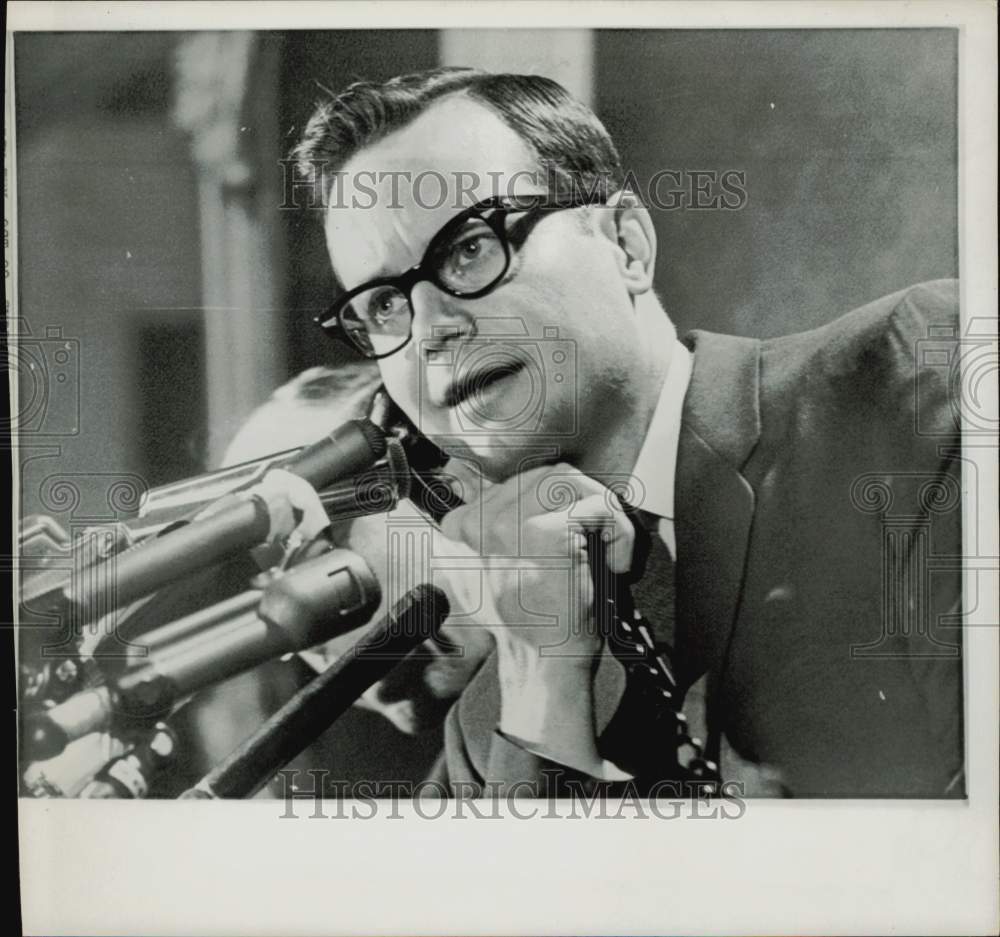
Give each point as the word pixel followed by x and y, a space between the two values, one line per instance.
pixel 657 463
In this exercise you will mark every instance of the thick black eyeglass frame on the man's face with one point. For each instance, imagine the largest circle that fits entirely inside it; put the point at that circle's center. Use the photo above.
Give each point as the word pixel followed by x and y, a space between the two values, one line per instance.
pixel 501 206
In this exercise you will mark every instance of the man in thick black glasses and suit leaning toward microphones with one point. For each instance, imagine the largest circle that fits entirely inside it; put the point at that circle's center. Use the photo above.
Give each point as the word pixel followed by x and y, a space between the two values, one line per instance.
pixel 751 461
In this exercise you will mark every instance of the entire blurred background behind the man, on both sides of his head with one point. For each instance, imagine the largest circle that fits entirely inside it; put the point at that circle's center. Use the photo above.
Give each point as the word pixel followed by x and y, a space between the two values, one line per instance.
pixel 159 277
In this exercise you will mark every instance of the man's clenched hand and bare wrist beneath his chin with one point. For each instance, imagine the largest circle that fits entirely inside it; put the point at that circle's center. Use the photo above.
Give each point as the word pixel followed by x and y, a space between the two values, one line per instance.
pixel 529 531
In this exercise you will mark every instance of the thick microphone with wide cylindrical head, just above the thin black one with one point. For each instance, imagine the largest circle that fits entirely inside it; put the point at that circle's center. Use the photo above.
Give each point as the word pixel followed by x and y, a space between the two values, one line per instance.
pixel 313 602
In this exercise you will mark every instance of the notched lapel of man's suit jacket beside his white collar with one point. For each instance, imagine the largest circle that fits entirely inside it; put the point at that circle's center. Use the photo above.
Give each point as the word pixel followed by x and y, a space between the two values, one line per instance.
pixel 714 503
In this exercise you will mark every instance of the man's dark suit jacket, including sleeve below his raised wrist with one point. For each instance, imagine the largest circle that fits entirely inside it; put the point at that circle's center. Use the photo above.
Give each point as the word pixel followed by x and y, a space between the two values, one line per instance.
pixel 818 533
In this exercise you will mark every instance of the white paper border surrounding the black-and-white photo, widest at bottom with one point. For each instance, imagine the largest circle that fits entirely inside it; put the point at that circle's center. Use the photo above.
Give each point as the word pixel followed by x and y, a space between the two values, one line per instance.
pixel 786 867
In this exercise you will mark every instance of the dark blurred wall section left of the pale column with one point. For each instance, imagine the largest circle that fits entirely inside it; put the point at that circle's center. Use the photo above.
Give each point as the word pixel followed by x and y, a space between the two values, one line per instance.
pixel 109 259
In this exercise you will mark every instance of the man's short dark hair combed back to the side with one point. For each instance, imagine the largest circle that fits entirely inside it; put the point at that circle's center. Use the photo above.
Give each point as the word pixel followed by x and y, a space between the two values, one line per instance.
pixel 566 137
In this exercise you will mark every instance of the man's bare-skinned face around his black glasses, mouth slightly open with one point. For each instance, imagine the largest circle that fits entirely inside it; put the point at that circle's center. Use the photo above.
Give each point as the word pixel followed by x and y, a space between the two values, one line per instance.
pixel 534 367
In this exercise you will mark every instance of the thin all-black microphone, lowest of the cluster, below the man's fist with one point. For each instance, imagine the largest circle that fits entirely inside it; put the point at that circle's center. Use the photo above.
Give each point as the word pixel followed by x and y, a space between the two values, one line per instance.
pixel 414 618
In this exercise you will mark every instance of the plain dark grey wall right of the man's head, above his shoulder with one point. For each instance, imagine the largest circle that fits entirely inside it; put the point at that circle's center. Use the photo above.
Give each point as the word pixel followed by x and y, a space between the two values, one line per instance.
pixel 848 141
